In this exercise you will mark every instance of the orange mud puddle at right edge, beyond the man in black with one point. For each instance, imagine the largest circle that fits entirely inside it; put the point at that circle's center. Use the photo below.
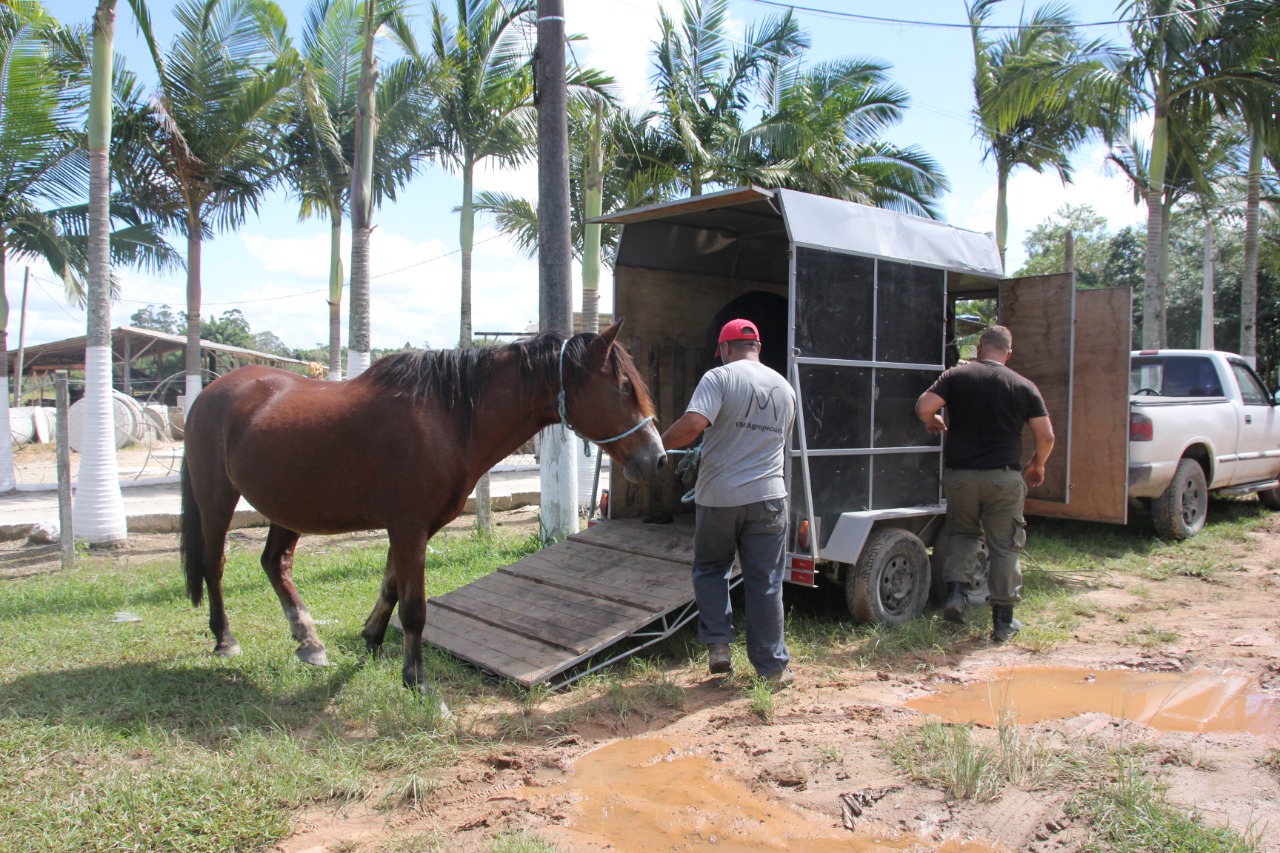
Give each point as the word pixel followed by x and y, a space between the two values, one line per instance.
pixel 1167 701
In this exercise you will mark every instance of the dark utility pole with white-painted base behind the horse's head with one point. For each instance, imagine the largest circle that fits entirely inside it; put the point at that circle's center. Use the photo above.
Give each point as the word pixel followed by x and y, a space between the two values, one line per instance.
pixel 555 297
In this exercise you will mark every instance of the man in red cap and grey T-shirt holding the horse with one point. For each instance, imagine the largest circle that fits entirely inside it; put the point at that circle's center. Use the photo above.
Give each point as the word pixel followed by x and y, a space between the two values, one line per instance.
pixel 747 412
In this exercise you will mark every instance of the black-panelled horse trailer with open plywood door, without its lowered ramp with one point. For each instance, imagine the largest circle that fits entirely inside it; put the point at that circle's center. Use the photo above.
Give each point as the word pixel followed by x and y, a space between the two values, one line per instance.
pixel 857 307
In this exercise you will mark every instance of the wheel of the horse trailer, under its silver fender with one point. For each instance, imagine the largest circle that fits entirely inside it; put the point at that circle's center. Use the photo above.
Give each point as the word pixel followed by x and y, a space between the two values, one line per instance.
pixel 890 582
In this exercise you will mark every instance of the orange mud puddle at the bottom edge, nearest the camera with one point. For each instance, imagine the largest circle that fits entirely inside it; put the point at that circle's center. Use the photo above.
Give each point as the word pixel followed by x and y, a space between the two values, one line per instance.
pixel 650 796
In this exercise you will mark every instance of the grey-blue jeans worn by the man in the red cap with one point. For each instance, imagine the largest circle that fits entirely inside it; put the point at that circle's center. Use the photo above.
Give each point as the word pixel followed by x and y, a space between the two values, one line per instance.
pixel 757 533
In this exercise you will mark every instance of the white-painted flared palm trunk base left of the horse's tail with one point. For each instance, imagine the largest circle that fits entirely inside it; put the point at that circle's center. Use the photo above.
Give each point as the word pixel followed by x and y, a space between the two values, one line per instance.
pixel 98 513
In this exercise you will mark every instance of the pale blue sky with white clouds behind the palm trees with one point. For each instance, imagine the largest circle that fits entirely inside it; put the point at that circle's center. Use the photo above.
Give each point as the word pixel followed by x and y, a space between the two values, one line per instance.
pixel 276 270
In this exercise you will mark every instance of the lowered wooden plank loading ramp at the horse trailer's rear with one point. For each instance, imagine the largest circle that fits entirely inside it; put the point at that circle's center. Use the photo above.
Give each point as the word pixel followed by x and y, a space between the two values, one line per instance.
pixel 621 585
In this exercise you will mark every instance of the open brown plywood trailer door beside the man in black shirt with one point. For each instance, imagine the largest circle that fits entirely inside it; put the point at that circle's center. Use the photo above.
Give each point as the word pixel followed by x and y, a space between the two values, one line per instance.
pixel 1075 345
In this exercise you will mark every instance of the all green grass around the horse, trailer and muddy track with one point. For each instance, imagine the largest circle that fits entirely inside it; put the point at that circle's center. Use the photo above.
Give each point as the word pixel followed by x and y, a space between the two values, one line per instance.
pixel 132 736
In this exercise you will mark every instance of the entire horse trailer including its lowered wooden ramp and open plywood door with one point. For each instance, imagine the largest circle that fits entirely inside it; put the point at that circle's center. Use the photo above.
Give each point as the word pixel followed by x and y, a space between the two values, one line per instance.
pixel 857 308
